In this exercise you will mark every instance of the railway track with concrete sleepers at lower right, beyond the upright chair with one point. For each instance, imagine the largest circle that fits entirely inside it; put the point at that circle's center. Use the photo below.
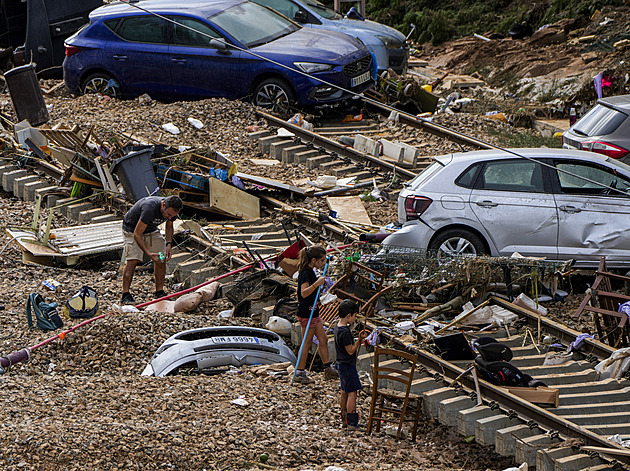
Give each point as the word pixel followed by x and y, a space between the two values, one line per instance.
pixel 570 436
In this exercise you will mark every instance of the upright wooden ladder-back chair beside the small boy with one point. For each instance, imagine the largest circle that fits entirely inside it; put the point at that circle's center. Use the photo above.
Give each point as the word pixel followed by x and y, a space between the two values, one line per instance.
pixel 395 405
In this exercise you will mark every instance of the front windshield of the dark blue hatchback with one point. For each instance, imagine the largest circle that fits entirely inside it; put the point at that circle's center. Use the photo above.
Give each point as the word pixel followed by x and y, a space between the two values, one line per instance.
pixel 252 24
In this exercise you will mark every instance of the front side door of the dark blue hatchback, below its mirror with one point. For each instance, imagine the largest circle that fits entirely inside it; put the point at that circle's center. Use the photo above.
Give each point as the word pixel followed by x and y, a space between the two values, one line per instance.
pixel 199 68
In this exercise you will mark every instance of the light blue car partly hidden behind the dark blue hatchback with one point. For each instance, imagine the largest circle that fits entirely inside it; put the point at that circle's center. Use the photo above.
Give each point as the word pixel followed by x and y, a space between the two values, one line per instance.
pixel 388 45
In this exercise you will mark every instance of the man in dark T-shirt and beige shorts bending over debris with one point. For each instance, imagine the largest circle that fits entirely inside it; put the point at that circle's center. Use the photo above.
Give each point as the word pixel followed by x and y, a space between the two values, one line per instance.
pixel 142 236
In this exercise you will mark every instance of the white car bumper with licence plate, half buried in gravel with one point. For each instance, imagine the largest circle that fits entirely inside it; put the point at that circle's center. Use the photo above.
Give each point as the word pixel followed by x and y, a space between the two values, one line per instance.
pixel 210 350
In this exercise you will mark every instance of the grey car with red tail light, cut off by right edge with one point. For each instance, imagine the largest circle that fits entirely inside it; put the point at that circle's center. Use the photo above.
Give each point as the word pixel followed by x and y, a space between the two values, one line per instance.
pixel 605 129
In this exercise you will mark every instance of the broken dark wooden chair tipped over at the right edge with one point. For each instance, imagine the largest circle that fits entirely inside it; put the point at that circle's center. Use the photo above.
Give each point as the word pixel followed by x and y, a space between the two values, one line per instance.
pixel 612 326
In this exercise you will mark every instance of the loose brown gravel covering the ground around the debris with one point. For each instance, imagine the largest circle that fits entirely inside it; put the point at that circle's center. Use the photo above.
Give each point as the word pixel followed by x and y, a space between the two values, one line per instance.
pixel 80 403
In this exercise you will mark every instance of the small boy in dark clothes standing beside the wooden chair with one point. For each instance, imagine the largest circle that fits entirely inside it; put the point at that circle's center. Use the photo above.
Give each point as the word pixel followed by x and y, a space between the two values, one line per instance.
pixel 346 349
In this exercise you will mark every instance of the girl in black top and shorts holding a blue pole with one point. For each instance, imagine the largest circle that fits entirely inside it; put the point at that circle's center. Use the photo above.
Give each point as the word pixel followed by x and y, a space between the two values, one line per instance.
pixel 310 258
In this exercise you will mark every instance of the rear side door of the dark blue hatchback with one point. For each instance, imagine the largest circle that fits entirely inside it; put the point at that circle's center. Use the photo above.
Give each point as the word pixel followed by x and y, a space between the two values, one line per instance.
pixel 139 55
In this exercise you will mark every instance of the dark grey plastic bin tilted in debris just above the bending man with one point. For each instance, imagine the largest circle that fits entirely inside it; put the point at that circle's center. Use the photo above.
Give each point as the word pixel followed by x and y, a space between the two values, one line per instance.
pixel 136 174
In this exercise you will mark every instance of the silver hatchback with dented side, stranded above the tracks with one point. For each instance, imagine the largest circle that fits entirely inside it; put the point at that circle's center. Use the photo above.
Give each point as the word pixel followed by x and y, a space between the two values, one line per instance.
pixel 553 203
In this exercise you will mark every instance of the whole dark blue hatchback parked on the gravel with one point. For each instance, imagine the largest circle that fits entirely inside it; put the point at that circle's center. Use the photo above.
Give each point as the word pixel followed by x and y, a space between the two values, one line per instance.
pixel 221 48
